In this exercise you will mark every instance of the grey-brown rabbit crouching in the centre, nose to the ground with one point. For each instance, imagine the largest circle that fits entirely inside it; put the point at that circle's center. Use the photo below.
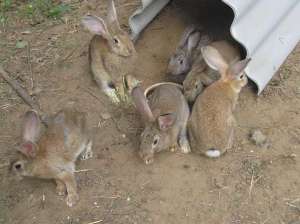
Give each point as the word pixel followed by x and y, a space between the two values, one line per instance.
pixel 165 119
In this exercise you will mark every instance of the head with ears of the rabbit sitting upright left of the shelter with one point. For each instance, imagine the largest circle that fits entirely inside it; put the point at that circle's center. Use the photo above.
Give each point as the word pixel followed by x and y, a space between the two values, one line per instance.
pixel 118 40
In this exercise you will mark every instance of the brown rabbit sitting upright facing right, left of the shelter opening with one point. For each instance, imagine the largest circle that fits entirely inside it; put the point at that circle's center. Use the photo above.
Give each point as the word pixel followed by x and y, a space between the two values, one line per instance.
pixel 111 53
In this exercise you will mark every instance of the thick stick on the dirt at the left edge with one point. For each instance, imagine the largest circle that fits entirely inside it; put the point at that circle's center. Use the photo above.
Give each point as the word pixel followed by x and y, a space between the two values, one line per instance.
pixel 19 90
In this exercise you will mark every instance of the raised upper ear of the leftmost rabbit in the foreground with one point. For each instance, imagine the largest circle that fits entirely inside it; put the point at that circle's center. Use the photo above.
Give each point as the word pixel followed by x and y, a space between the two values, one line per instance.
pixel 31 126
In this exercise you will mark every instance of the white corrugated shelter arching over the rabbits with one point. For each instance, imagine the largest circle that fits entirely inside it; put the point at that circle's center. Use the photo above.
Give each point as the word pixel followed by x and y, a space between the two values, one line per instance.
pixel 268 30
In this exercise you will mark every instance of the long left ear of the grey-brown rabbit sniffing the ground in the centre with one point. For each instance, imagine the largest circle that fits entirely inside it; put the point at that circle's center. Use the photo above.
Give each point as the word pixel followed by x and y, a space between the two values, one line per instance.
pixel 141 103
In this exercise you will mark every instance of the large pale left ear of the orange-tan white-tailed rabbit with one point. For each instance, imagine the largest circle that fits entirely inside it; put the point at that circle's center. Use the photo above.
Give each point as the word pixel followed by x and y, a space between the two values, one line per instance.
pixel 214 59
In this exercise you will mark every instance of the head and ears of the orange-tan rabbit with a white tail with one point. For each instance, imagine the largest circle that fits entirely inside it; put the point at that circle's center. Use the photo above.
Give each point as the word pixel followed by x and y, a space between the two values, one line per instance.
pixel 232 73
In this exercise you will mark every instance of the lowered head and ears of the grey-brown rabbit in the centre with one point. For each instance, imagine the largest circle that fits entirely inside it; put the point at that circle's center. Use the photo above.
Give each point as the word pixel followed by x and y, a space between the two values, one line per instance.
pixel 154 138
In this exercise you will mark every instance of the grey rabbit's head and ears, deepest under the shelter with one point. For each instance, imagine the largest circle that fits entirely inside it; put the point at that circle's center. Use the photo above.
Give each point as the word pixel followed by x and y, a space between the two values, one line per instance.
pixel 181 61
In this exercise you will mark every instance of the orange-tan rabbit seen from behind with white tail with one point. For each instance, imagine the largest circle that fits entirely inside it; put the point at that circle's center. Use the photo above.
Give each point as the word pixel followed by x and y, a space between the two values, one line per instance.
pixel 211 124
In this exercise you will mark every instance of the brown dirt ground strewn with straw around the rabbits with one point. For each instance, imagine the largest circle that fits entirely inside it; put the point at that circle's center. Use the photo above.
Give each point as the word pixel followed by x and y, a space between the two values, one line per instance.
pixel 249 184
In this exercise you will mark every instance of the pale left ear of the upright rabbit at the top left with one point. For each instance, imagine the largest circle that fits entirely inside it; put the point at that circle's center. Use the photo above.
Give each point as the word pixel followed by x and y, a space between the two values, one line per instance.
pixel 95 25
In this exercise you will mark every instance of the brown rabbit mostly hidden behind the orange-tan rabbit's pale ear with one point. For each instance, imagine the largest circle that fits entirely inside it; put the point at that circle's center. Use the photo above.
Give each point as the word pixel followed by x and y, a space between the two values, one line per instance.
pixel 202 75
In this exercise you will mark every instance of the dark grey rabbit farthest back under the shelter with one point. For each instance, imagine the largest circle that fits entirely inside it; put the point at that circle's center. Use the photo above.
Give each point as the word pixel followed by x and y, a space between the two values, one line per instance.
pixel 186 52
